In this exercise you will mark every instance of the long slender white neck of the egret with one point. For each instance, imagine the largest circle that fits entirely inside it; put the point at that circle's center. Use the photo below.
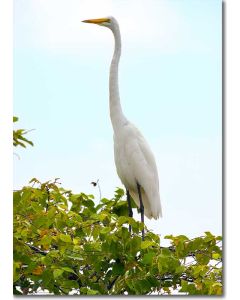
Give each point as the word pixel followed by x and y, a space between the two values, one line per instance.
pixel 116 114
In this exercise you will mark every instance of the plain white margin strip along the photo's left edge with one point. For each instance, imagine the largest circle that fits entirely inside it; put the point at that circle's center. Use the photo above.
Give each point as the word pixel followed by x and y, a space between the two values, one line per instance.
pixel 6 38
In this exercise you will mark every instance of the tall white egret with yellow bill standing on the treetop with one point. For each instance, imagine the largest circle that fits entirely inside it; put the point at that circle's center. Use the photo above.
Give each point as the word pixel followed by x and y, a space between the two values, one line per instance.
pixel 134 160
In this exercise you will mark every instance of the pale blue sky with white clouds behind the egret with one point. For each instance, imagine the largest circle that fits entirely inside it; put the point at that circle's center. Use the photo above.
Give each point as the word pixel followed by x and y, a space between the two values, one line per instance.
pixel 170 87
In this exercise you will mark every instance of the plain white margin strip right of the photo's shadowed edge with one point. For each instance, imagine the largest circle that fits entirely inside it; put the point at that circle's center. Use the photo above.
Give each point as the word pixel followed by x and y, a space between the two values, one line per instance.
pixel 232 149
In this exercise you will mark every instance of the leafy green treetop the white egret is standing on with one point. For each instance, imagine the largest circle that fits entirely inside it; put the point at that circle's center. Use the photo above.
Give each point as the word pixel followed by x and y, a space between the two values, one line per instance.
pixel 67 244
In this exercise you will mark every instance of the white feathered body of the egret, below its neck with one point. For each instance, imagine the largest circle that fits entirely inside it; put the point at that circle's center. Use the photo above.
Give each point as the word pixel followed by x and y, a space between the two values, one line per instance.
pixel 135 163
